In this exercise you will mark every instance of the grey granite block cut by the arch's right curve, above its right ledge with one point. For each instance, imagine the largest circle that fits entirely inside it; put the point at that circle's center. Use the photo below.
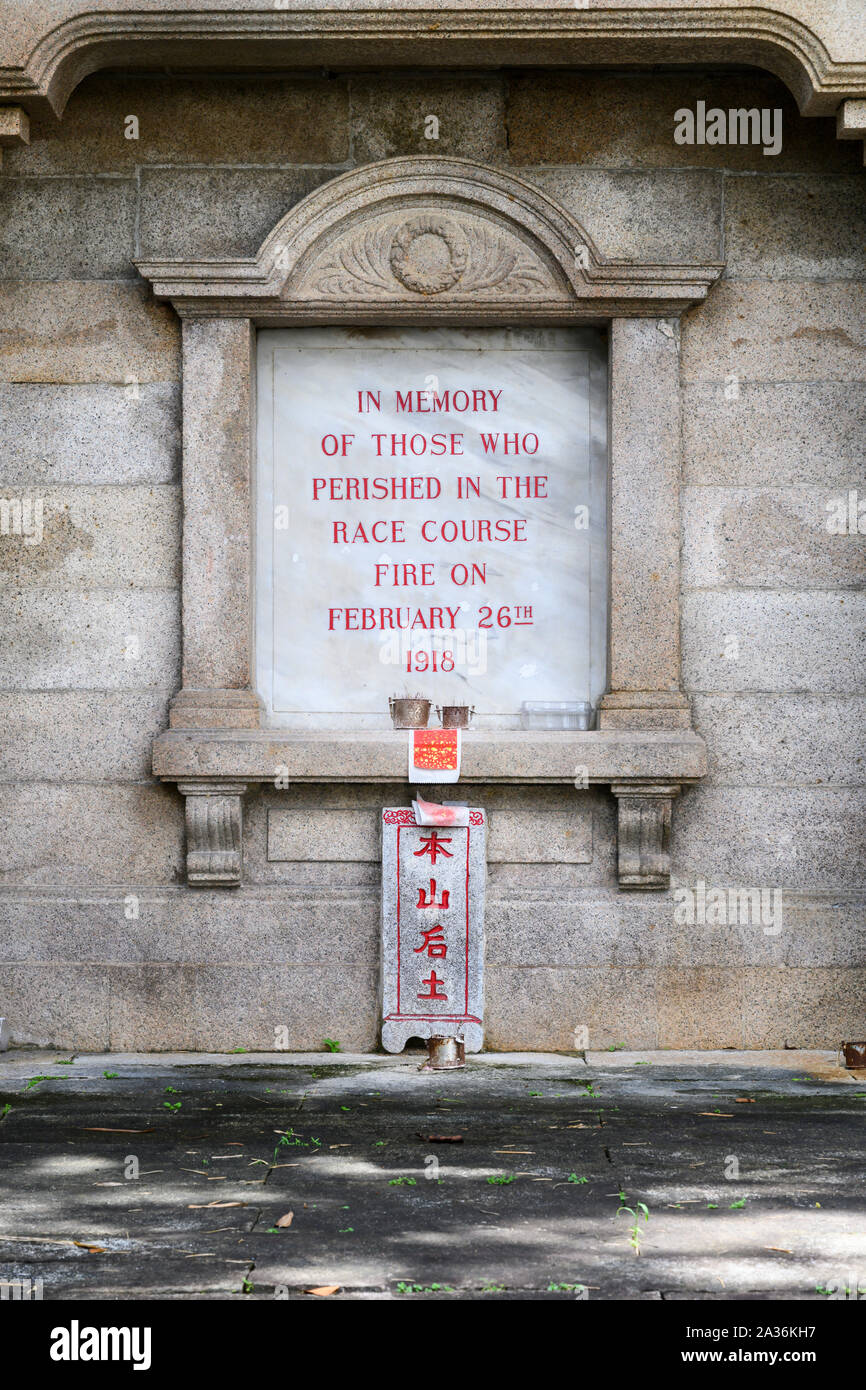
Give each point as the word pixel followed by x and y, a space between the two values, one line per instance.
pixel 633 215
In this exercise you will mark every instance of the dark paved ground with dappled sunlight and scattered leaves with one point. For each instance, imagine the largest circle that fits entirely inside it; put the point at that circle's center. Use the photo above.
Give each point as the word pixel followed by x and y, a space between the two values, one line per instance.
pixel 173 1177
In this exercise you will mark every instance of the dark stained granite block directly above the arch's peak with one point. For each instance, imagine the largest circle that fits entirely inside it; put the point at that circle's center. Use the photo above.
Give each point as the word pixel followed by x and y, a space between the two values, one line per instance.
pixel 393 117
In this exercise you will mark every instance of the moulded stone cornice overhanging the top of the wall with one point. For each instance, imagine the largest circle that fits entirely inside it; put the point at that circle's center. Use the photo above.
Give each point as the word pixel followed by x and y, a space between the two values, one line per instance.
pixel 817 47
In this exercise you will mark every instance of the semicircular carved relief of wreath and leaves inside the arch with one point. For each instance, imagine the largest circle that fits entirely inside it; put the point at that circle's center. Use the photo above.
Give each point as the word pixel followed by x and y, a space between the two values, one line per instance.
pixel 429 255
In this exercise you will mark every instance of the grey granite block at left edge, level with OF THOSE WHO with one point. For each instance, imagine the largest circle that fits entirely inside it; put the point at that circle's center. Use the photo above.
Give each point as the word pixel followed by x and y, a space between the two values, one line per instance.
pixel 90 434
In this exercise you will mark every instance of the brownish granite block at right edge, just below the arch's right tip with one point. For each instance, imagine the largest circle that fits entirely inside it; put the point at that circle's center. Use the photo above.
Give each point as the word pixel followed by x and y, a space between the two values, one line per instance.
pixel 778 332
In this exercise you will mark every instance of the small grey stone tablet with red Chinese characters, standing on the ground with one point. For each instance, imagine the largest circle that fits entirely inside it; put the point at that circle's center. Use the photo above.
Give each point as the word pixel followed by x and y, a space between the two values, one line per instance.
pixel 433 929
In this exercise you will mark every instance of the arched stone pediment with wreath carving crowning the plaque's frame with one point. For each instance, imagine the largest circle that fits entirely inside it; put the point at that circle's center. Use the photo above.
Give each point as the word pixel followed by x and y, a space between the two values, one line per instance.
pixel 437 238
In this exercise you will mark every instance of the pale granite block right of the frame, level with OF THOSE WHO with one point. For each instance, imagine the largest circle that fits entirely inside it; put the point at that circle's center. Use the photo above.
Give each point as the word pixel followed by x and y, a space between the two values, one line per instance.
pixel 778 434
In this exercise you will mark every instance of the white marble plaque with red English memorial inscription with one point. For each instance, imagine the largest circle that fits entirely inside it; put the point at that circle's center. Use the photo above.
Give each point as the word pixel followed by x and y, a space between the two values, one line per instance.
pixel 432 519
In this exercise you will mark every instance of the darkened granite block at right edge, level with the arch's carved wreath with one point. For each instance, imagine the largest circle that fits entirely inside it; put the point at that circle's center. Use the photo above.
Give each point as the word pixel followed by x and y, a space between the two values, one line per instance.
pixel 796 227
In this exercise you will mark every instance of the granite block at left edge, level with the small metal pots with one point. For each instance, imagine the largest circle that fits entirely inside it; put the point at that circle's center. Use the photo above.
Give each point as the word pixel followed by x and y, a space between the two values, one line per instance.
pixel 80 736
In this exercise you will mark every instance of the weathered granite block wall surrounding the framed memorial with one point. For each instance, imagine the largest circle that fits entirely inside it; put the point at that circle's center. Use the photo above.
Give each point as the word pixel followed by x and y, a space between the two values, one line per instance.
pixel 102 945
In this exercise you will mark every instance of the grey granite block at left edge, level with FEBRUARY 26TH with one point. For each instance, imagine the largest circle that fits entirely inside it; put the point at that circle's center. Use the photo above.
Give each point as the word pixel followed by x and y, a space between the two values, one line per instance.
pixel 88 640
